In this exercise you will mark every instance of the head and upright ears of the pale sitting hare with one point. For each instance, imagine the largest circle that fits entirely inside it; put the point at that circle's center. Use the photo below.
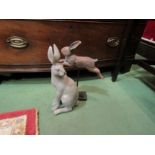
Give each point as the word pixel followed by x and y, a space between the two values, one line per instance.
pixel 57 68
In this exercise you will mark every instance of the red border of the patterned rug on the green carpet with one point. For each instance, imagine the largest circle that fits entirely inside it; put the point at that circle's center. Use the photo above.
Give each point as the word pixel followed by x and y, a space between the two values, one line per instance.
pixel 31 126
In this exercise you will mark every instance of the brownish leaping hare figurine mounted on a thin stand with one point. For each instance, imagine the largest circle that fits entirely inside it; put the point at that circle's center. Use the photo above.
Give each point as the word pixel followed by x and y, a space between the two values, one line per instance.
pixel 79 61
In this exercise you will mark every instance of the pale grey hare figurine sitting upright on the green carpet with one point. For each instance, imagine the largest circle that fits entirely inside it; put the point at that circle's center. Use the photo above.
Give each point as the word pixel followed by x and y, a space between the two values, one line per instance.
pixel 67 91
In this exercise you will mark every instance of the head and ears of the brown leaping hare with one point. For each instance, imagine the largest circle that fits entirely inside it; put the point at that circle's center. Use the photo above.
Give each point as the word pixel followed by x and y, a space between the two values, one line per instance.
pixel 66 51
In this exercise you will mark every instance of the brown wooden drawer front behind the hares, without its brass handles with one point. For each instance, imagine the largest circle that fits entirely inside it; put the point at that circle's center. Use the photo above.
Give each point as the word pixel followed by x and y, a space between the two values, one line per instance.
pixel 41 33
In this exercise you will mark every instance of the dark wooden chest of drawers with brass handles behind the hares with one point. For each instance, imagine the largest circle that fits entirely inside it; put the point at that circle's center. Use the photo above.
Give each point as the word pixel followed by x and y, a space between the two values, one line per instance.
pixel 102 39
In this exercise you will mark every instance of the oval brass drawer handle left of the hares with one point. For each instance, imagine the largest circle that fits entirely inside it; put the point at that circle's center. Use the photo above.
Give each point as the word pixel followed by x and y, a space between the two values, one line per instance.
pixel 17 42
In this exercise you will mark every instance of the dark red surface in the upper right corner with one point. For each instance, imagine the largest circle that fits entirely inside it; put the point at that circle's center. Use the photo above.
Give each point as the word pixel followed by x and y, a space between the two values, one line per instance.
pixel 149 31
